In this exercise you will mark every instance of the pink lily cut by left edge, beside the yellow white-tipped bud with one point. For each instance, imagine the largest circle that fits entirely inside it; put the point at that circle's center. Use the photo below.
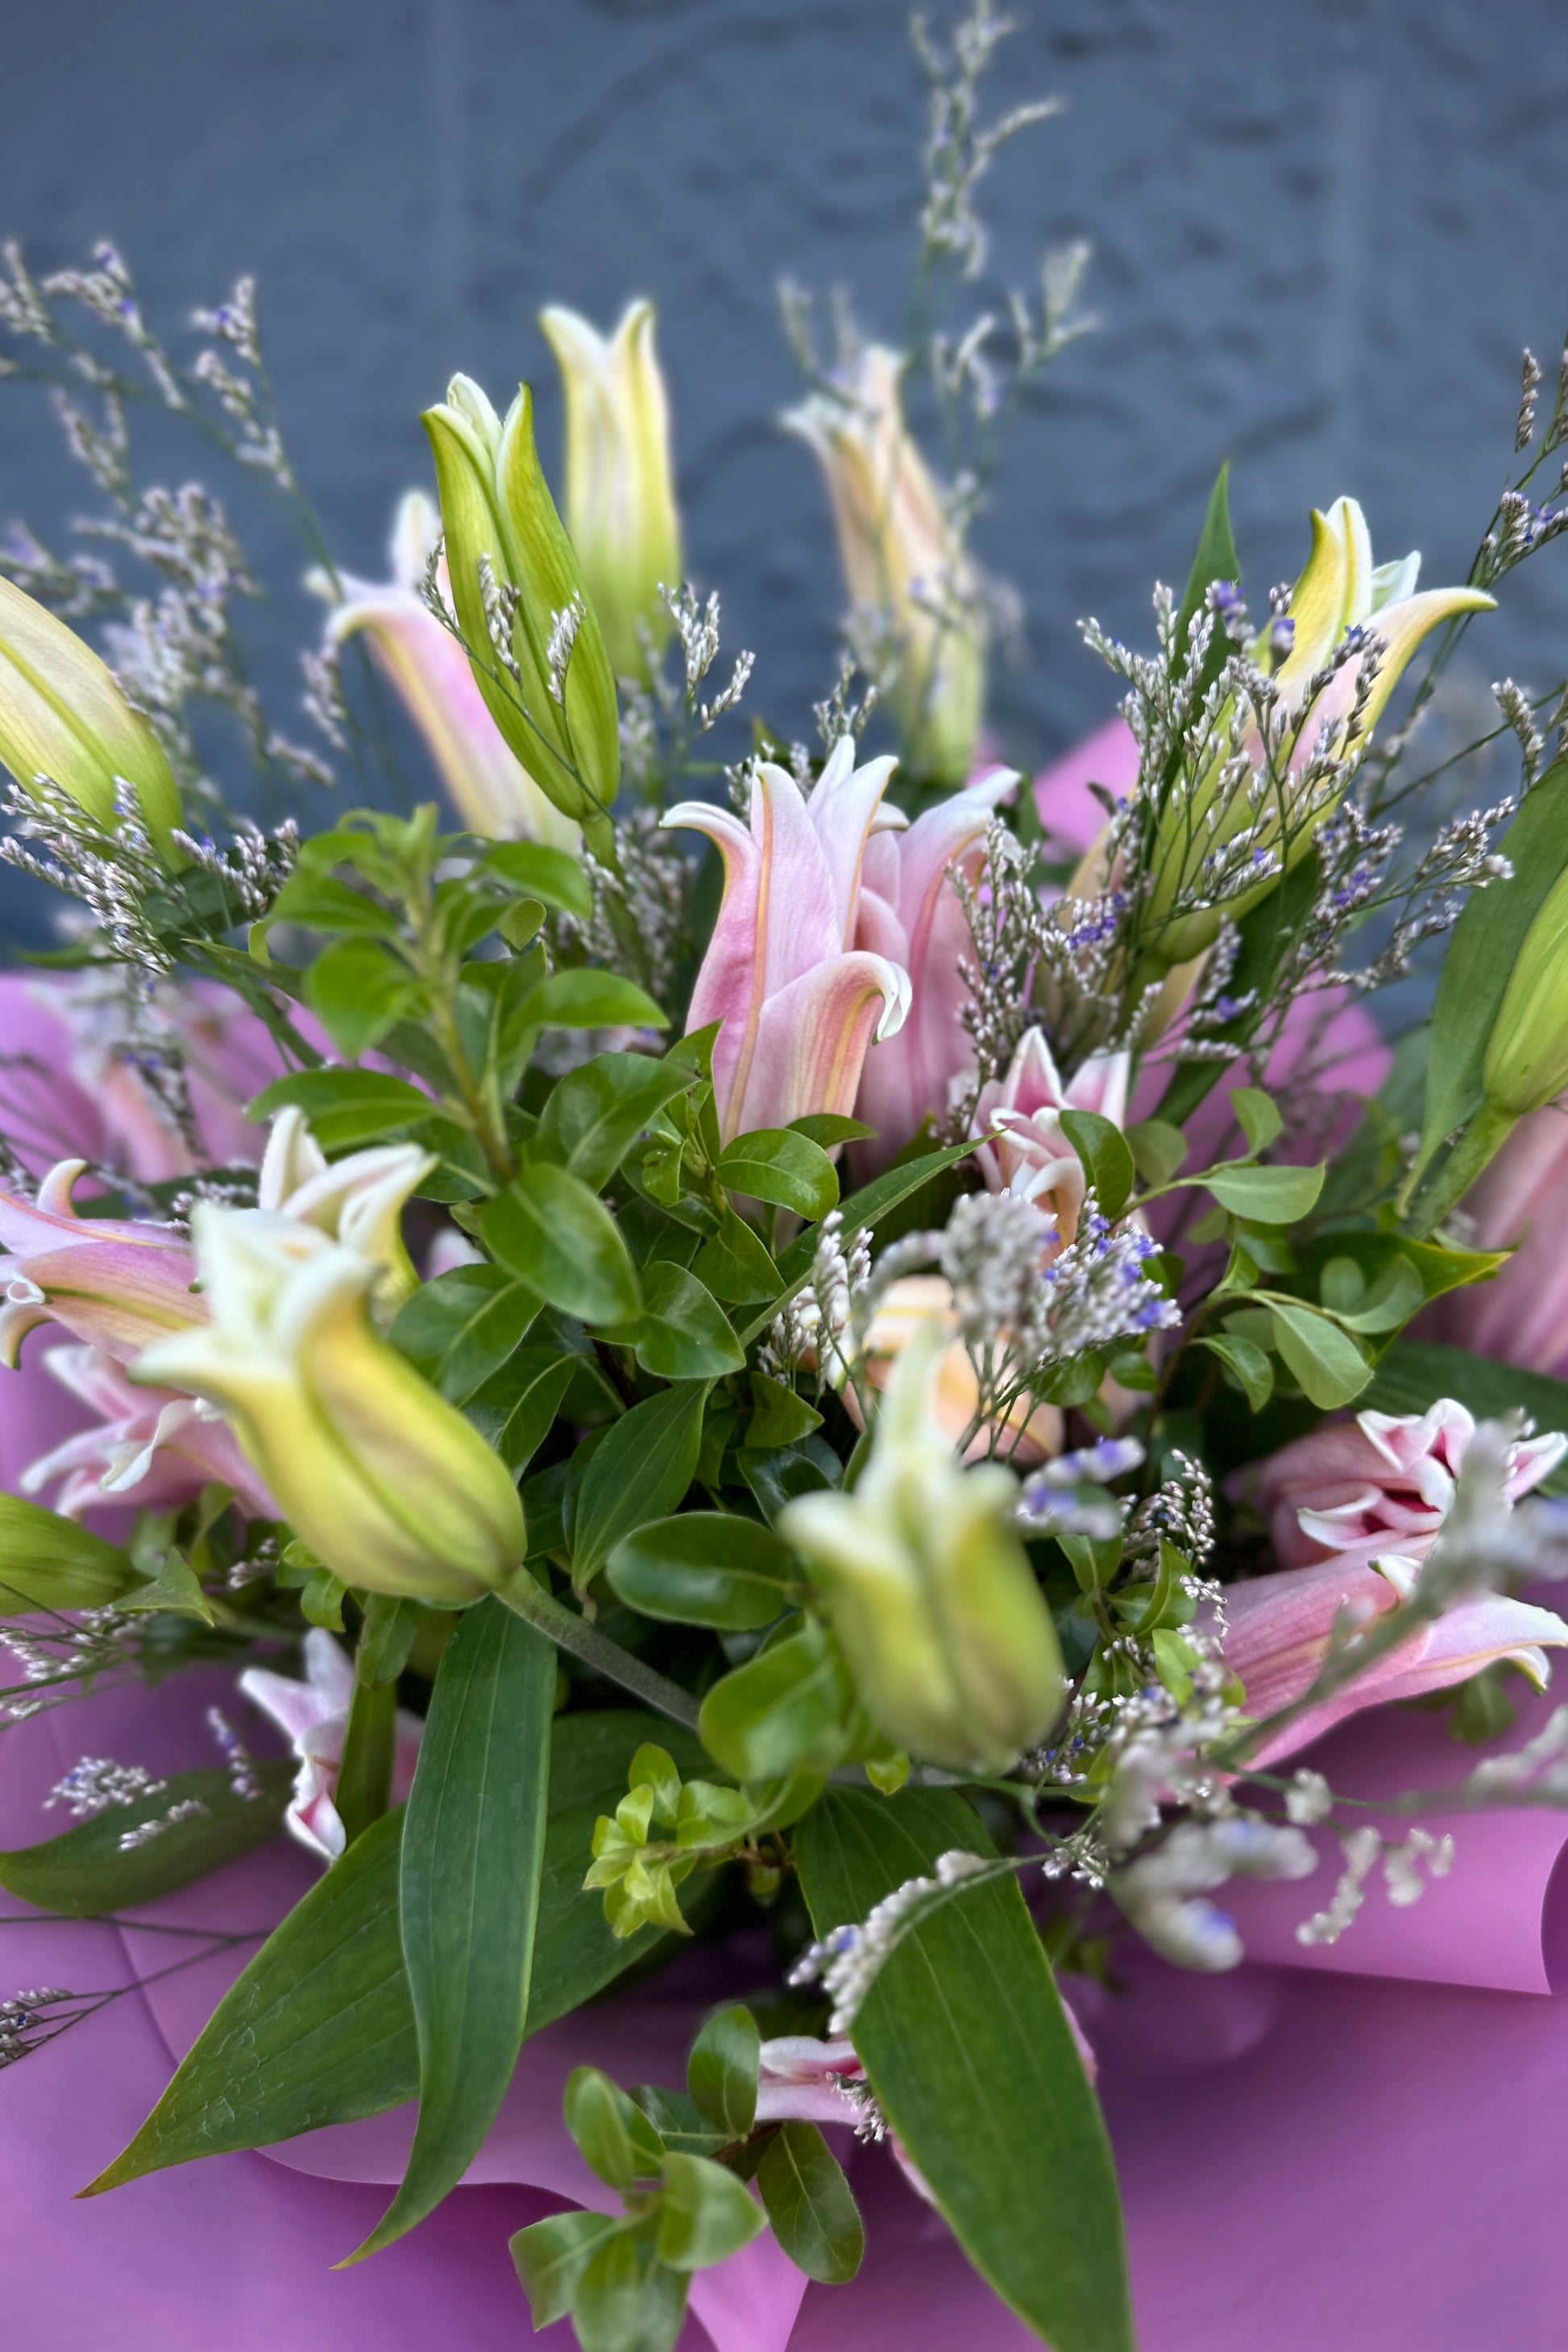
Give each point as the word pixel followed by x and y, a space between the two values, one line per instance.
pixel 116 1283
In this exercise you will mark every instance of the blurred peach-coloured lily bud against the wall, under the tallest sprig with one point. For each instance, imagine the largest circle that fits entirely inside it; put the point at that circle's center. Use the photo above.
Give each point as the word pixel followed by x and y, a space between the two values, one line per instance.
pixel 904 566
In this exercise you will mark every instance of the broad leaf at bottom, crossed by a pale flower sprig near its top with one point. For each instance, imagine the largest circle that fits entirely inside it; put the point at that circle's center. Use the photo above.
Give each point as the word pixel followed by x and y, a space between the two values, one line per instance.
pixel 974 2064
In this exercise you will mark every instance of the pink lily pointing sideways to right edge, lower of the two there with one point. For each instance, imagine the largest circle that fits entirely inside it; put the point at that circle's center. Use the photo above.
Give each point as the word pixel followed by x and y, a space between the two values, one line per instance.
pixel 1282 1626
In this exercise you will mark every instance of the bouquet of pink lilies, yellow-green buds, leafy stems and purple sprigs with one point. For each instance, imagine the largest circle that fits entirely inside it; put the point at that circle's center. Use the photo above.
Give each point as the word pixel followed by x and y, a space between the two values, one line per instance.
pixel 768 1462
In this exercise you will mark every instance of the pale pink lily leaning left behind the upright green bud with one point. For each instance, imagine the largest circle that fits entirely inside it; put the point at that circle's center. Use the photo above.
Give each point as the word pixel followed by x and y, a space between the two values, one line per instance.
pixel 490 787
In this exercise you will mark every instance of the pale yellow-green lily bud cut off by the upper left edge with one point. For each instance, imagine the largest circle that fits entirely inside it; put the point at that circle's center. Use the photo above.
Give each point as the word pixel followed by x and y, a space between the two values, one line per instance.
pixel 65 716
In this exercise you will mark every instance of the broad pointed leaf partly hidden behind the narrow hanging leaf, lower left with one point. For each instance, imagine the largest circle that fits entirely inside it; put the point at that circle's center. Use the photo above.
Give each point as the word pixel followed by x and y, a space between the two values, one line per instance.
pixel 321 2026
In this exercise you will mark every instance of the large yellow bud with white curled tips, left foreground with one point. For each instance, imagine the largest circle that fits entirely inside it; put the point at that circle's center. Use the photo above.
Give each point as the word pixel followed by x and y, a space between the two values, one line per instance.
pixel 377 1476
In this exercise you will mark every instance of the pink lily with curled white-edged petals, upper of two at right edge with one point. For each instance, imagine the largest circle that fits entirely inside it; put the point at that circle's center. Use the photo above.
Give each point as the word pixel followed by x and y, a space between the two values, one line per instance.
pixel 1381 1485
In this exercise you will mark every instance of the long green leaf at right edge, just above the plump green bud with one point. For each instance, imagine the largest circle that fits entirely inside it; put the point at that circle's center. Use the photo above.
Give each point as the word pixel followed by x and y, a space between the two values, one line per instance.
pixel 1482 954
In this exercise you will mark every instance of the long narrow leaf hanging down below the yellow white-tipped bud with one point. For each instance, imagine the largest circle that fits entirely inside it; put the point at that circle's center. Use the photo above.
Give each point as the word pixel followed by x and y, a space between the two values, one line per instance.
pixel 469 1892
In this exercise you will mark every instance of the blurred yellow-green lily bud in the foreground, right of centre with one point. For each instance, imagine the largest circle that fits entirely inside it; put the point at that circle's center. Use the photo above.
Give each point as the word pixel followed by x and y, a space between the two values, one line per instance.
pixel 930 1589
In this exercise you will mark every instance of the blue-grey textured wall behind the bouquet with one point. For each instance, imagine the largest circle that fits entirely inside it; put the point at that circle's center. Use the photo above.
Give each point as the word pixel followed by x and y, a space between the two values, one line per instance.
pixel 1322 236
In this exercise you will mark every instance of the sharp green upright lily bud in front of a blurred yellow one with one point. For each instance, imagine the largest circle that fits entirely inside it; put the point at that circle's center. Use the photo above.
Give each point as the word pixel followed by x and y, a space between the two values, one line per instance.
pixel 537 653
